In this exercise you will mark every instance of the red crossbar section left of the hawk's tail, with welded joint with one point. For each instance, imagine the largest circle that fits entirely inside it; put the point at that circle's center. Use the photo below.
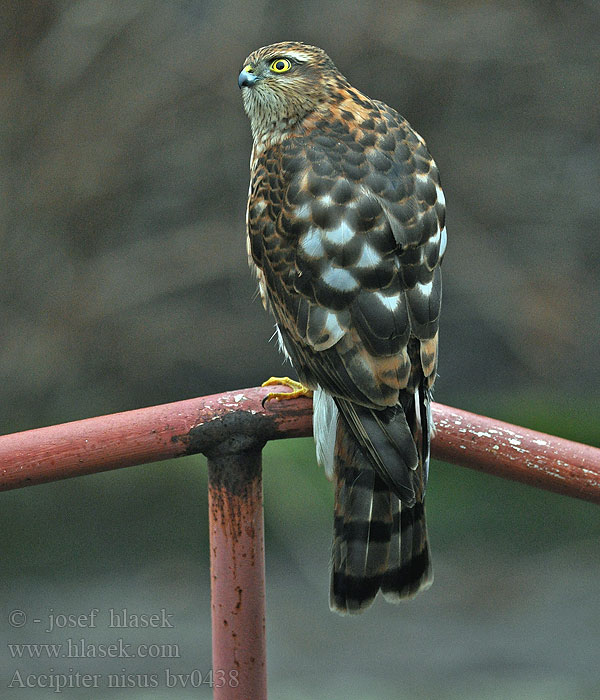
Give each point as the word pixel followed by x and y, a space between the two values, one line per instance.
pixel 146 435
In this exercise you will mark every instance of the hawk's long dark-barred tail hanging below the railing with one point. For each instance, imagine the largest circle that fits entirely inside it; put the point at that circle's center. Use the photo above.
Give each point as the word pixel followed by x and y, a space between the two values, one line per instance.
pixel 379 543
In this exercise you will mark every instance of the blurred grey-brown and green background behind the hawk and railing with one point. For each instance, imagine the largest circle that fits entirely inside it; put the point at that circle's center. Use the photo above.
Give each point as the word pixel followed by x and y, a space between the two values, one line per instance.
pixel 124 156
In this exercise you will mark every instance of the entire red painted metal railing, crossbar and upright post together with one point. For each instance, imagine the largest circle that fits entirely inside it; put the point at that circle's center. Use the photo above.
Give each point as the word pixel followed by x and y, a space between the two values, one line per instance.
pixel 231 429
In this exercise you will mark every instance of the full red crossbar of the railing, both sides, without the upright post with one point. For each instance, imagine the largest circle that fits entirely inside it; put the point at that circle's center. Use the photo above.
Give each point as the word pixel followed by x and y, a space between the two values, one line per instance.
pixel 197 425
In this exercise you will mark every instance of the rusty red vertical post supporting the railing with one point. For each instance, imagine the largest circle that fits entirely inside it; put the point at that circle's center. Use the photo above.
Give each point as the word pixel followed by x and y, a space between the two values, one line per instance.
pixel 237 569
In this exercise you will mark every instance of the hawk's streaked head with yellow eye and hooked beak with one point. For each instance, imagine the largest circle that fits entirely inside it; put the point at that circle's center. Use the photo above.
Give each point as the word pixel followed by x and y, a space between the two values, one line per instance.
pixel 284 82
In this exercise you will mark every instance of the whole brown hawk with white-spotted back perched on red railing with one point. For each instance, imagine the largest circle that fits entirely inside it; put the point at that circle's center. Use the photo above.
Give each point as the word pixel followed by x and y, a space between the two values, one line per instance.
pixel 346 234
